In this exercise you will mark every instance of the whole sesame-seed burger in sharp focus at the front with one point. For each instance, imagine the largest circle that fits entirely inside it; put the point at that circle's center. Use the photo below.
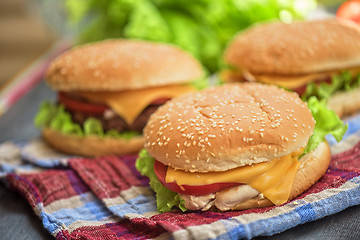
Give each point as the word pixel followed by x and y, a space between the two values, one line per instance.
pixel 236 146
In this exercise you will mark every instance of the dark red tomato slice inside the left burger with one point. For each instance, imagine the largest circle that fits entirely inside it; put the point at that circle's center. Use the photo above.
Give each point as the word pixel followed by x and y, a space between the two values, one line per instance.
pixel 77 105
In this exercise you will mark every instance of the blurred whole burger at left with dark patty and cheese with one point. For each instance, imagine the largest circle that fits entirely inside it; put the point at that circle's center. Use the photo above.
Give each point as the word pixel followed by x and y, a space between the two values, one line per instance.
pixel 107 91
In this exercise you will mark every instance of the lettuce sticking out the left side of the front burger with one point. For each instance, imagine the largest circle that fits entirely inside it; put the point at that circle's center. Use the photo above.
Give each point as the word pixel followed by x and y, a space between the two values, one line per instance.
pixel 165 199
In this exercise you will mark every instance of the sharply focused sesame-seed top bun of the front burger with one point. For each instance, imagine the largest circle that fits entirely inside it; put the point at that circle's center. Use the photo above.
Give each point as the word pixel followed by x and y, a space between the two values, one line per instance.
pixel 225 127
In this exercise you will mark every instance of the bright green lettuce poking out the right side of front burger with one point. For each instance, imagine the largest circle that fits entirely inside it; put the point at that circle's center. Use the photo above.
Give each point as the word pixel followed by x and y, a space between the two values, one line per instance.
pixel 327 122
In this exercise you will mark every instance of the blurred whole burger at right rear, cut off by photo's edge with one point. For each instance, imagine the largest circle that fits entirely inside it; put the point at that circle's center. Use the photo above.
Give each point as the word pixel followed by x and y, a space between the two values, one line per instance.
pixel 314 58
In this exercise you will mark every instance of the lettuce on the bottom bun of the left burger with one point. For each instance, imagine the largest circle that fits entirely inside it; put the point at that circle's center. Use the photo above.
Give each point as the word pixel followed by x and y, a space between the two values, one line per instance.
pixel 56 117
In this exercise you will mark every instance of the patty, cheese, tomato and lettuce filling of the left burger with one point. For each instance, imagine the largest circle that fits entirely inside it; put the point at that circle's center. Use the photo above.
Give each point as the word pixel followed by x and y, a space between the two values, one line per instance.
pixel 118 114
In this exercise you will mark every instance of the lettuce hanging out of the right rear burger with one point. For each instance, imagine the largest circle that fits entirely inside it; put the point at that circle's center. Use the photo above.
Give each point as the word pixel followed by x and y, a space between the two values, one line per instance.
pixel 344 81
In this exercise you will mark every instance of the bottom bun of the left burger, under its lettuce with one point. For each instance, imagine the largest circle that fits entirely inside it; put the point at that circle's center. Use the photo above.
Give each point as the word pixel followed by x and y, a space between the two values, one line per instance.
pixel 91 145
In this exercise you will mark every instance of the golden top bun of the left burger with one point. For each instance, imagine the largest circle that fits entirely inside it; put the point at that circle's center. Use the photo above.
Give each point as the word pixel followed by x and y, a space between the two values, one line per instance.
pixel 116 65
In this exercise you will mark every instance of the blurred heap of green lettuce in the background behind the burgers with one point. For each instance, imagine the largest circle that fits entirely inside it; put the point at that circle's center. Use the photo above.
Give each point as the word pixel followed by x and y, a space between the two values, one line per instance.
pixel 202 27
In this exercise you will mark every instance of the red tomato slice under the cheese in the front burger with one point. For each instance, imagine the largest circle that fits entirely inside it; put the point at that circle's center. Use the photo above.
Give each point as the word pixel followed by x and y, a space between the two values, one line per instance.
pixel 160 171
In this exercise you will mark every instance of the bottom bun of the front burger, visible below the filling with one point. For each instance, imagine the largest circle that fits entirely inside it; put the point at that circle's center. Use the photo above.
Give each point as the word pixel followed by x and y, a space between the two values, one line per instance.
pixel 312 167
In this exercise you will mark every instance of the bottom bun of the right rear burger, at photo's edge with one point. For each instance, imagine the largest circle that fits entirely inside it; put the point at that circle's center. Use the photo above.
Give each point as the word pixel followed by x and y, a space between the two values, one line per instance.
pixel 345 103
